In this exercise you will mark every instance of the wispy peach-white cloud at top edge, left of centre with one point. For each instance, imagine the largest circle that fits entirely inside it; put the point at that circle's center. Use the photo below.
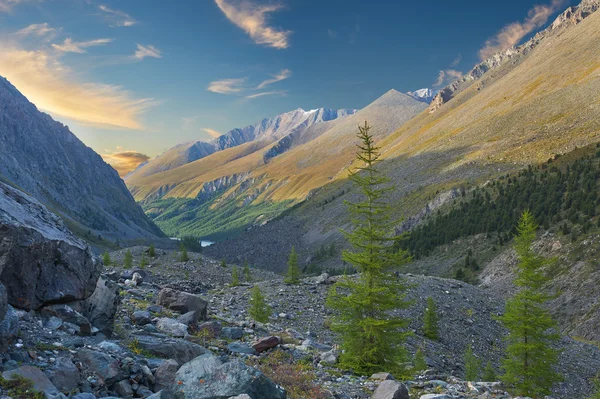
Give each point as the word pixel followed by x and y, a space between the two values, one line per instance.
pixel 252 19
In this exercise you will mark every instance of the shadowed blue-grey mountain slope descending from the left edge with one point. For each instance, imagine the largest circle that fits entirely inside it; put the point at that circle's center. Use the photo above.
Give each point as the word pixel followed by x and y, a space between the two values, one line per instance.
pixel 43 158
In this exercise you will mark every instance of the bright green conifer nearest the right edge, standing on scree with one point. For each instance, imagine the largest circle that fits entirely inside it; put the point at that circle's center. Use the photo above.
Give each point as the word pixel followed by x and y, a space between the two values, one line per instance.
pixel 530 358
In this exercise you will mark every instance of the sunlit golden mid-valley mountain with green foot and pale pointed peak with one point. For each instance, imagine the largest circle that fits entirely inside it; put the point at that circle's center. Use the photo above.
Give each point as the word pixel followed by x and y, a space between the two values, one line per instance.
pixel 251 183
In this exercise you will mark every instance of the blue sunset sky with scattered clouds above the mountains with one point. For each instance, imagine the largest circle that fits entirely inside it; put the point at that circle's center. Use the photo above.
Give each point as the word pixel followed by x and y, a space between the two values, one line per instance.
pixel 132 78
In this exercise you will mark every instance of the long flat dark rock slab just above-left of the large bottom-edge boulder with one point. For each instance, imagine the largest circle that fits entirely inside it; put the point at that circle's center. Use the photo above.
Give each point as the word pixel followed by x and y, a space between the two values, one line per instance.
pixel 171 348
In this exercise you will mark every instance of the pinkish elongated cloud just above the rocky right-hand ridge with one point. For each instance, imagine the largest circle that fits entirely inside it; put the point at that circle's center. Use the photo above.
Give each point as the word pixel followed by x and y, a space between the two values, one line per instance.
pixel 512 34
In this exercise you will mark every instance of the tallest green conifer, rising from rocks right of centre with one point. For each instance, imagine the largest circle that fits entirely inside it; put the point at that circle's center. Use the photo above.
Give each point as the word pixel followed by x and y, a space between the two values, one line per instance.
pixel 372 339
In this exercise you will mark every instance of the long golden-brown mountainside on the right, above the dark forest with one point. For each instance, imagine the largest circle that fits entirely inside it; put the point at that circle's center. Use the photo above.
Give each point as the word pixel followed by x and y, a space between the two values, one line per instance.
pixel 522 110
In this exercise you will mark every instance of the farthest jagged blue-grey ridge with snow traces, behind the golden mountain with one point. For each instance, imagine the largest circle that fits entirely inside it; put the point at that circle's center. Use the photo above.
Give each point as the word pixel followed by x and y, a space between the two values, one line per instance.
pixel 267 129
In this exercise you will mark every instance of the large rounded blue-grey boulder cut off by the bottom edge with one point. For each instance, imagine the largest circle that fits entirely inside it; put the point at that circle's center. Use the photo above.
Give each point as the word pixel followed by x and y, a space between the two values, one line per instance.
pixel 222 380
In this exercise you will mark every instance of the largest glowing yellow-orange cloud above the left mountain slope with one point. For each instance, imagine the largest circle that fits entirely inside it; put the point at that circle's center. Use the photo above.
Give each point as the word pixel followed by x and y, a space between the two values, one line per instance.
pixel 54 88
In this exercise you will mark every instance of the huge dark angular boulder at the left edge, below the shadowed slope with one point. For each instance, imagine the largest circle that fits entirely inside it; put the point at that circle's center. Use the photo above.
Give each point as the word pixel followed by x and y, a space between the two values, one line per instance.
pixel 41 262
